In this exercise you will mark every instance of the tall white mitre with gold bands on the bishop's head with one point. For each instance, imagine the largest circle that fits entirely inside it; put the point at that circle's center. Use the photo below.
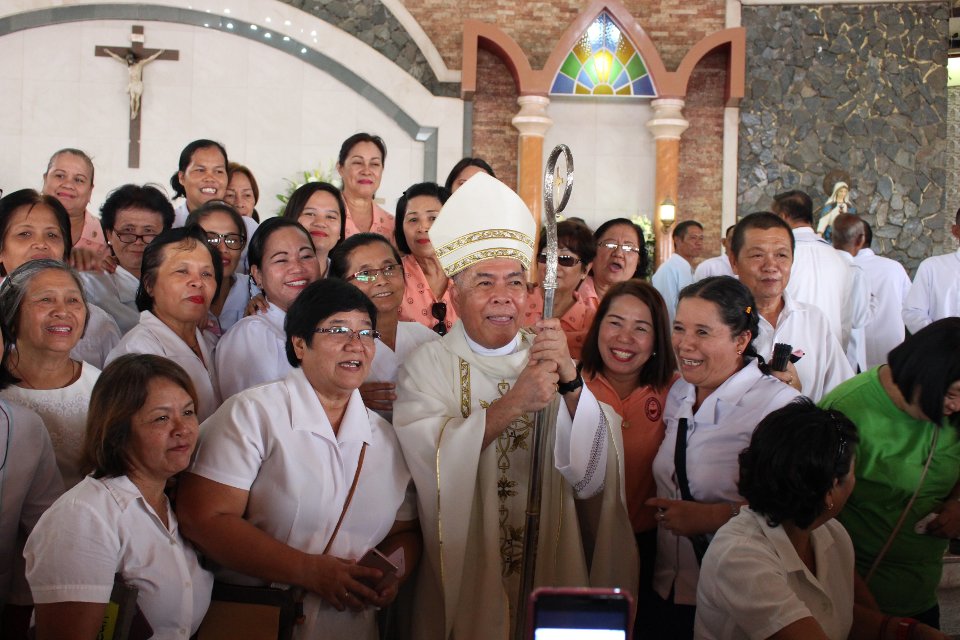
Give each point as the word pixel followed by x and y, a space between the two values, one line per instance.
pixel 485 219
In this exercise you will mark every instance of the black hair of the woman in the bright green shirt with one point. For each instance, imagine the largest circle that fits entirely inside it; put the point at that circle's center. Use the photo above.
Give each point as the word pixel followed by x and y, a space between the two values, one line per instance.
pixel 925 365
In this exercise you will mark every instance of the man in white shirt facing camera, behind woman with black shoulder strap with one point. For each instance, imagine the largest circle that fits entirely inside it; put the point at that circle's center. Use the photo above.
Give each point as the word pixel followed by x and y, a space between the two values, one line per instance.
pixel 762 252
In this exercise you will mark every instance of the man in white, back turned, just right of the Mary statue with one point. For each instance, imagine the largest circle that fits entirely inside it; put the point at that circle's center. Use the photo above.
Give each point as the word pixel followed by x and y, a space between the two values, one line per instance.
pixel 888 283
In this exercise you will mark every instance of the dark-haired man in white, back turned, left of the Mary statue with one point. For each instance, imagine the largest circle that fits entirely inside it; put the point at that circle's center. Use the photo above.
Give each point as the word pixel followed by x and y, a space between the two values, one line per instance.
pixel 820 276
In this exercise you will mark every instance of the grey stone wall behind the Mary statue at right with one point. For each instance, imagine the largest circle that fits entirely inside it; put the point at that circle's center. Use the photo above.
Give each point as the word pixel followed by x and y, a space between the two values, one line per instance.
pixel 860 88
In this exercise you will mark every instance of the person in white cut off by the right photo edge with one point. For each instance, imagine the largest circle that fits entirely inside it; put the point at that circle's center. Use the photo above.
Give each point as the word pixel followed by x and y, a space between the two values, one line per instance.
pixel 935 292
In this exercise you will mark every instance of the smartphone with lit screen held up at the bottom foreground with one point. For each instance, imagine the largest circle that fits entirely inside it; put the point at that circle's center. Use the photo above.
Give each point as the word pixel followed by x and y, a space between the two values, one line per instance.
pixel 580 614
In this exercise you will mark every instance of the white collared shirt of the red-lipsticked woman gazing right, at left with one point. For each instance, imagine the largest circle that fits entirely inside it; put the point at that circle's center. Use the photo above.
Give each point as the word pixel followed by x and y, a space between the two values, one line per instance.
pixel 152 336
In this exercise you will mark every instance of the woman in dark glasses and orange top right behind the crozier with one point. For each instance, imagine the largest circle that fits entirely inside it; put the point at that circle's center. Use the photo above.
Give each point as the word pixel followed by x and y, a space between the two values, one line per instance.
pixel 574 253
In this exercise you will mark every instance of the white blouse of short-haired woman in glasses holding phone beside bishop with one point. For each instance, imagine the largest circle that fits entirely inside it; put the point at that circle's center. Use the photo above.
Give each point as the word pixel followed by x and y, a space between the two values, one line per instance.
pixel 275 442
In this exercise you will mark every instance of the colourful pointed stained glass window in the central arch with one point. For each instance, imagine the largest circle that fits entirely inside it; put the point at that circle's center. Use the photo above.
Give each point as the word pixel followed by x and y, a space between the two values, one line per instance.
pixel 603 62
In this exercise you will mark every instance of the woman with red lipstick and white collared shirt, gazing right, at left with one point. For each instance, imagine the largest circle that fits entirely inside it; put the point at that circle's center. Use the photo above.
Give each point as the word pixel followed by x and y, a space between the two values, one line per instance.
pixel 179 279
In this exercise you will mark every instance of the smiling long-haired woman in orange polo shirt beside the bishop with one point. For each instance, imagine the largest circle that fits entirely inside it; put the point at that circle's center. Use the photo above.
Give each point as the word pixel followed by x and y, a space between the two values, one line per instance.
pixel 629 364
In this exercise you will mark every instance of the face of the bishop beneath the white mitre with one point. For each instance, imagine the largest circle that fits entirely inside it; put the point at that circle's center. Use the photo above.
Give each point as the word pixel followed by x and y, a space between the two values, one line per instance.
pixel 488 298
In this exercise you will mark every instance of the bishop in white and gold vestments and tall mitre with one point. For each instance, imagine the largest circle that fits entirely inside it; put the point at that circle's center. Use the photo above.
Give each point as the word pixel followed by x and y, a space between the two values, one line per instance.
pixel 464 415
